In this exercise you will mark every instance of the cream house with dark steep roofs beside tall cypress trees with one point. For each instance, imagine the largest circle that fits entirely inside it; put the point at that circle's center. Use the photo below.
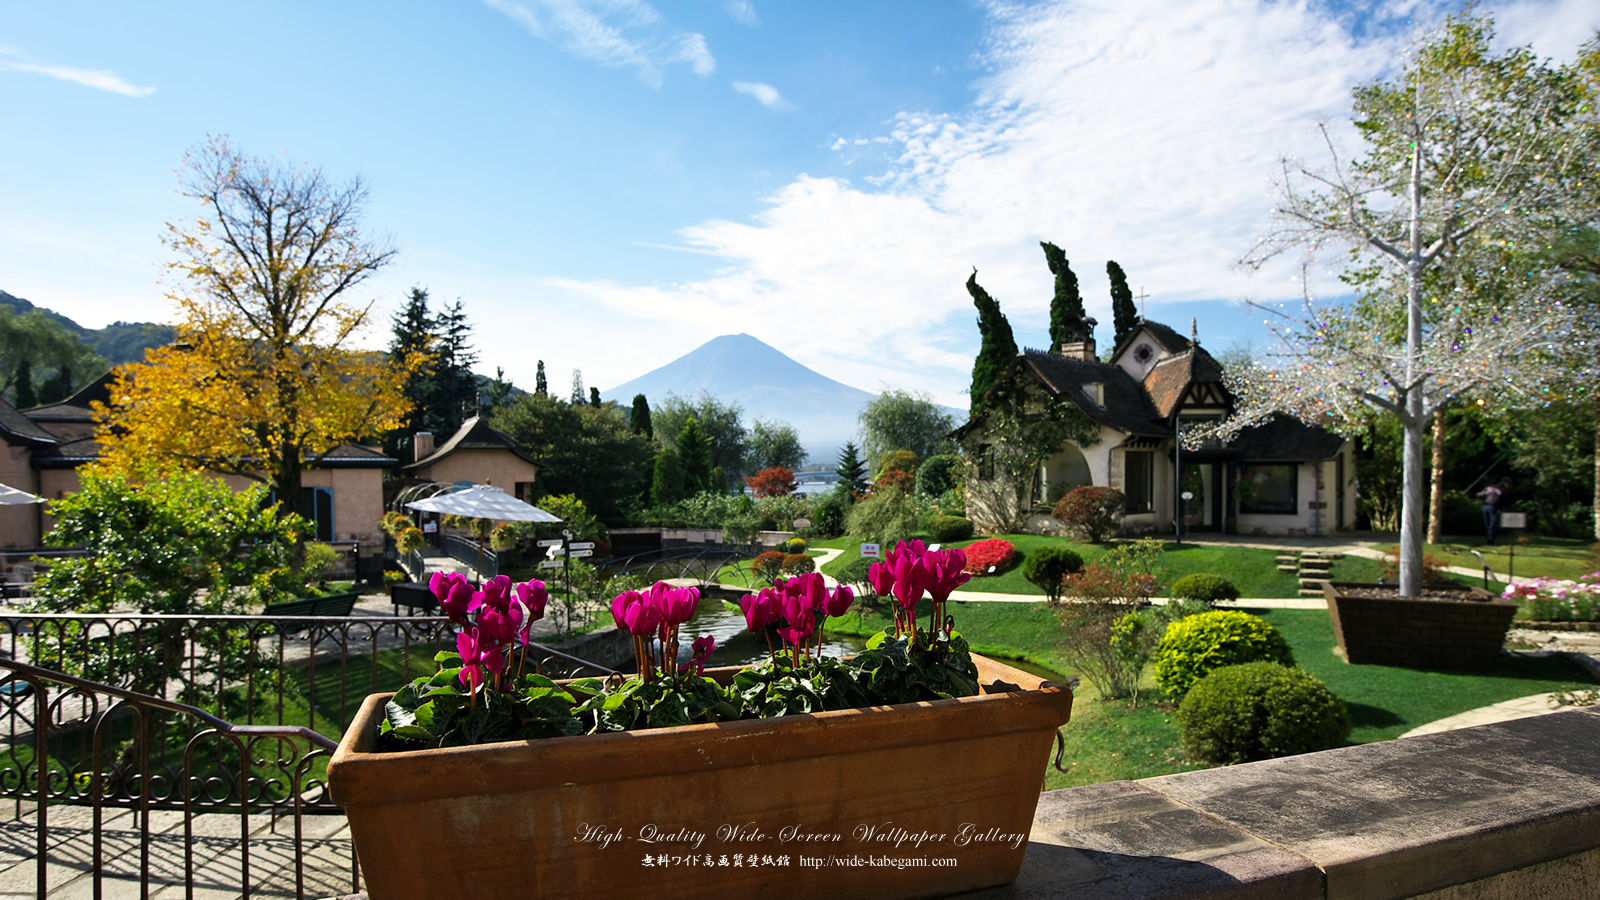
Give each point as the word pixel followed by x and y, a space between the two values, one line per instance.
pixel 1281 478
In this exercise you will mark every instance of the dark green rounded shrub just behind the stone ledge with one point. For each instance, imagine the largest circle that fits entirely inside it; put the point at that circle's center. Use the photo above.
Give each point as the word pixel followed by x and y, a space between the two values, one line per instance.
pixel 1260 712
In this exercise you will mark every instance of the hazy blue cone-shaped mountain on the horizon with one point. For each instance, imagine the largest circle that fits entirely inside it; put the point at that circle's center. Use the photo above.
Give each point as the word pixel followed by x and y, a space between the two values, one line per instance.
pixel 740 369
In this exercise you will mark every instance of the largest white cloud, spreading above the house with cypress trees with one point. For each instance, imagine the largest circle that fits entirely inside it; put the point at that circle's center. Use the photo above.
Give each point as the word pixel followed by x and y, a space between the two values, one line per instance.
pixel 1129 131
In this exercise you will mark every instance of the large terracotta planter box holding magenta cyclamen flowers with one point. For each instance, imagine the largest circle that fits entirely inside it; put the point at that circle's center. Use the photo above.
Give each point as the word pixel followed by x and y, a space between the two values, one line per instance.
pixel 814 800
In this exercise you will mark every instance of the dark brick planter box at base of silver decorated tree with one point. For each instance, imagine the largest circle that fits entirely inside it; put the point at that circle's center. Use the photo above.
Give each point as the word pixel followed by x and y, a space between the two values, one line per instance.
pixel 1420 633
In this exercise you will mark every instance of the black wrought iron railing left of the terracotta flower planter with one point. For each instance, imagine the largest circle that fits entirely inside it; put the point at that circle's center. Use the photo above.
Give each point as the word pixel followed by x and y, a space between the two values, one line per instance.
pixel 164 742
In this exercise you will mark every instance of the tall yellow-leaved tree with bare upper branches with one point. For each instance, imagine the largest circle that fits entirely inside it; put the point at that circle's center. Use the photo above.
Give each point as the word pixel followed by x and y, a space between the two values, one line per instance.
pixel 265 377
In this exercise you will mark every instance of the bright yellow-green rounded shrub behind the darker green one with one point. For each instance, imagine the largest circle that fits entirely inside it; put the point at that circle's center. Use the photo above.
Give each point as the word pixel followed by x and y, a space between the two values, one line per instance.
pixel 1201 645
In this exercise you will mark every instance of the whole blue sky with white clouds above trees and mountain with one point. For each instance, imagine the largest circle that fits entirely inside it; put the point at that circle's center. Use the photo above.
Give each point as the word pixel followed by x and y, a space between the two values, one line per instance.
pixel 609 183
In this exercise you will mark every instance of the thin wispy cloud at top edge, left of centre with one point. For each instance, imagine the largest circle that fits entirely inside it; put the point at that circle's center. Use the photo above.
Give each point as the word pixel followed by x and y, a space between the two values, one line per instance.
pixel 623 34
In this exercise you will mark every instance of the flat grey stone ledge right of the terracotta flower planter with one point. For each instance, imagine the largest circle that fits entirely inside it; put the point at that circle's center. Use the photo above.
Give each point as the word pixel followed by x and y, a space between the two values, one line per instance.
pixel 1390 819
